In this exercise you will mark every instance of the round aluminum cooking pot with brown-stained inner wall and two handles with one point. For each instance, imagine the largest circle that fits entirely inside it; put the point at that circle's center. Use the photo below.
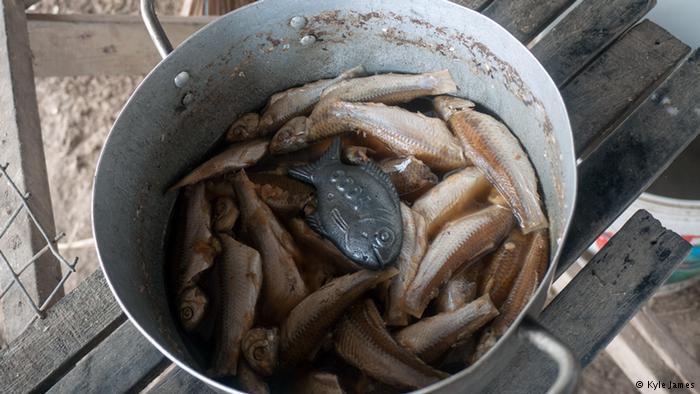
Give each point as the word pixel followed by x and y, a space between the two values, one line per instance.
pixel 235 63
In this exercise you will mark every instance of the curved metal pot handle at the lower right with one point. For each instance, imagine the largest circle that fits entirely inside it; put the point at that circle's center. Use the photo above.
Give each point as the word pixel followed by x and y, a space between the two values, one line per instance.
pixel 567 364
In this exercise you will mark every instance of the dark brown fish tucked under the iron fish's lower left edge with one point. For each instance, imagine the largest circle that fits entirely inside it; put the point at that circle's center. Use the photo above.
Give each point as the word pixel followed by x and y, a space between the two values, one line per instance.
pixel 323 249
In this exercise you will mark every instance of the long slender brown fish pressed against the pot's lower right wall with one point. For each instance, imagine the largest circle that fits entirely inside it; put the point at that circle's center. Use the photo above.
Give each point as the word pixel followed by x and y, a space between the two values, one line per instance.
pixel 524 288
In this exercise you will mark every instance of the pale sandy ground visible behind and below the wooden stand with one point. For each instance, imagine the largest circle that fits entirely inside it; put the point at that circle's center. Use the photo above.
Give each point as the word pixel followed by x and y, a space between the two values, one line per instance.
pixel 76 115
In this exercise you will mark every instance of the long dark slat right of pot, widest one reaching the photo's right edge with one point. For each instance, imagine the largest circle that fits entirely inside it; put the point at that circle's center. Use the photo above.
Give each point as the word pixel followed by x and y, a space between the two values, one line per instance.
pixel 633 156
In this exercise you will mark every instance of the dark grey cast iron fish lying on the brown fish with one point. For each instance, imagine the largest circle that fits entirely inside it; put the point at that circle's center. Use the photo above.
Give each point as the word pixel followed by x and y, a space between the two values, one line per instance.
pixel 358 208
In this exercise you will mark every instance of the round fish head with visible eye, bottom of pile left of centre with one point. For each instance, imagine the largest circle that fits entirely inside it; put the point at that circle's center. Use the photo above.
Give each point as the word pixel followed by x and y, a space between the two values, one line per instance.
pixel 260 347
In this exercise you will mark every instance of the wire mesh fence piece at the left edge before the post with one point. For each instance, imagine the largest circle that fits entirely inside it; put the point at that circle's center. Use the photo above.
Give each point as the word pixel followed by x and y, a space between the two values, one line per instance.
pixel 38 307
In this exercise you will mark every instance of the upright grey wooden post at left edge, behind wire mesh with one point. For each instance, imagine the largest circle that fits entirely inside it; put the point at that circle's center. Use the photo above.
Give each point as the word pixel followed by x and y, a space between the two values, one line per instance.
pixel 21 146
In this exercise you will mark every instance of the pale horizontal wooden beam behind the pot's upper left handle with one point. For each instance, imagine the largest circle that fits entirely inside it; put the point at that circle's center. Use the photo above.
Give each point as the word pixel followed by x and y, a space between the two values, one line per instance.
pixel 68 45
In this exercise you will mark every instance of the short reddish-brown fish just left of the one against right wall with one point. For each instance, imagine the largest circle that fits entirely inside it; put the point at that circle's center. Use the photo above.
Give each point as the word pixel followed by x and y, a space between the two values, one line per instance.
pixel 503 267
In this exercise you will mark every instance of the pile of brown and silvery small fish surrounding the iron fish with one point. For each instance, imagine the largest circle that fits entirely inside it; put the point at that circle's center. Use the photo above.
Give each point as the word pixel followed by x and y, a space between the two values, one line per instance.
pixel 273 303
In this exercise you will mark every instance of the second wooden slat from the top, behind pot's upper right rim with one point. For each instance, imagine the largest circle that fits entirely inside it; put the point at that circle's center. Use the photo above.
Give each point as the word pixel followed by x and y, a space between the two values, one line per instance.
pixel 582 34
